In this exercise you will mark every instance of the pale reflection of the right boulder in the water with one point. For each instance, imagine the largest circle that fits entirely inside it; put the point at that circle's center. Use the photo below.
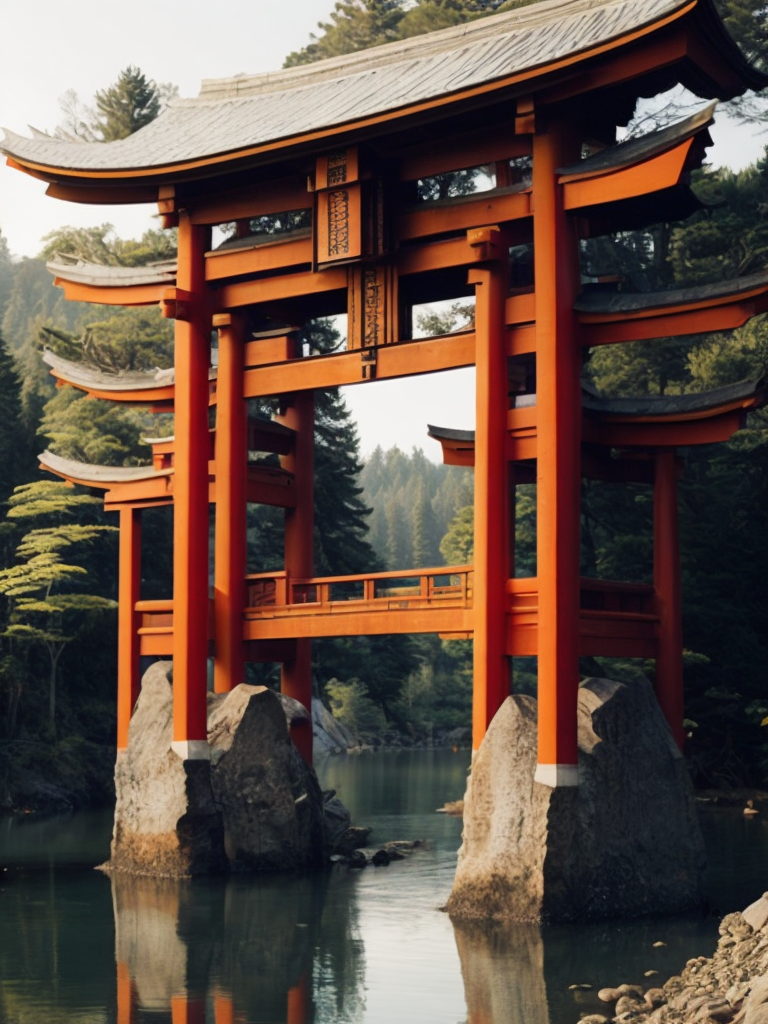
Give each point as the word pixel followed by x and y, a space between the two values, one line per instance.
pixel 503 972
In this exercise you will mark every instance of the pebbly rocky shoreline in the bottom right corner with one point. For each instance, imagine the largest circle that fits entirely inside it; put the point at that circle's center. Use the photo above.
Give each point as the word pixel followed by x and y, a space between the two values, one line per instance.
pixel 730 988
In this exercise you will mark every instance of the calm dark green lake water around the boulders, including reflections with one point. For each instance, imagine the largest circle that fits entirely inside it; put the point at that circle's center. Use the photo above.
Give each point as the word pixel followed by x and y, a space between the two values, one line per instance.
pixel 352 947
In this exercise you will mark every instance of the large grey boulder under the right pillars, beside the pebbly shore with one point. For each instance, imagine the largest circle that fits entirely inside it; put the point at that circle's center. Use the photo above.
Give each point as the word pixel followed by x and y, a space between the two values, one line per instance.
pixel 625 842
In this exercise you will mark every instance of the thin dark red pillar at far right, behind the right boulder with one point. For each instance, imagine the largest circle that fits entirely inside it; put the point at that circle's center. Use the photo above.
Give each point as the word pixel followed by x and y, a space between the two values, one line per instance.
pixel 670 692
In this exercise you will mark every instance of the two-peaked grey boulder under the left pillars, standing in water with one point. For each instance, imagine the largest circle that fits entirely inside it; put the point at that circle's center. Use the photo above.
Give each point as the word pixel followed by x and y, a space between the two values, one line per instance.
pixel 254 806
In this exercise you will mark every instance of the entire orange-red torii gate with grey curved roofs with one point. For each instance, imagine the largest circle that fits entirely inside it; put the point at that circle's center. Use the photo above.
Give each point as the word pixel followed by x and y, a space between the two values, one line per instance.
pixel 535 98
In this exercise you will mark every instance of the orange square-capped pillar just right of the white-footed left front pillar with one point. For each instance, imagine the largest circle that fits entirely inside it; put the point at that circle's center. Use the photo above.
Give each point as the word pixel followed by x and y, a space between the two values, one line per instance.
pixel 230 542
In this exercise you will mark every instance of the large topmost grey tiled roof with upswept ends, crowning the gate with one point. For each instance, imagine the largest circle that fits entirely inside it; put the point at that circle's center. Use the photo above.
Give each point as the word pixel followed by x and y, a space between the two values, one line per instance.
pixel 242 113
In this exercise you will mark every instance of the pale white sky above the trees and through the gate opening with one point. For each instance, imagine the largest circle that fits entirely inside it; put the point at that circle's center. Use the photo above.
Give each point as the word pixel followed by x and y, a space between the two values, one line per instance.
pixel 50 47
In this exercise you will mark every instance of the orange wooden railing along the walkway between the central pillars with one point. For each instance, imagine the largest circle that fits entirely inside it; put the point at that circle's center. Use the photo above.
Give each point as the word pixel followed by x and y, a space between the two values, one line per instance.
pixel 272 593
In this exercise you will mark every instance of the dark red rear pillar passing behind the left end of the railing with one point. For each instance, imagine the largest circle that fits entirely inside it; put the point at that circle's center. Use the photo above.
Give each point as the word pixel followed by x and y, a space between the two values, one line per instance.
pixel 296 678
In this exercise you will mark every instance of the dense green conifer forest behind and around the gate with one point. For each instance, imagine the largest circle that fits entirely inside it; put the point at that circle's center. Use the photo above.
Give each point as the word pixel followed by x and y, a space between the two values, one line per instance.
pixel 400 510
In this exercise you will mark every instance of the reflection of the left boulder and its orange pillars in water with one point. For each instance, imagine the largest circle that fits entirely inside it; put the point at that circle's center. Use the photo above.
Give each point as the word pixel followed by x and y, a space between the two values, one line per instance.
pixel 232 951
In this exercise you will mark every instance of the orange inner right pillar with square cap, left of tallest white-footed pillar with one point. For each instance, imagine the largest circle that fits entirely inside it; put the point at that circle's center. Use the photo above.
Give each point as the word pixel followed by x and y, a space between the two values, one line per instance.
pixel 491 666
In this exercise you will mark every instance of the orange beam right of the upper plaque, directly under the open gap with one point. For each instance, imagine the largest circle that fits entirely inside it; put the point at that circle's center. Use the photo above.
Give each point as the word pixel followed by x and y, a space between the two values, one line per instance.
pixel 461 215
